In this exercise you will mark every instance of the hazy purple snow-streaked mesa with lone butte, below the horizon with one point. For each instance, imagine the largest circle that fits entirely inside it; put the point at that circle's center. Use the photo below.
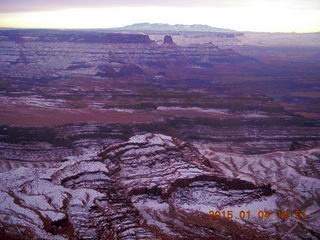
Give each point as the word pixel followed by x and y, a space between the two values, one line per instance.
pixel 47 55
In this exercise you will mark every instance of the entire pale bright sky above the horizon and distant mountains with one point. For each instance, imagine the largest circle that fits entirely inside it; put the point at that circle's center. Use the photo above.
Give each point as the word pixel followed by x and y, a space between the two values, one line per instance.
pixel 241 15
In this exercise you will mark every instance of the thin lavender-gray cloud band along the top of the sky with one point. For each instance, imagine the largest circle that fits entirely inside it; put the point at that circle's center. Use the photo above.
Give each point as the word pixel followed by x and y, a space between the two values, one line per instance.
pixel 47 5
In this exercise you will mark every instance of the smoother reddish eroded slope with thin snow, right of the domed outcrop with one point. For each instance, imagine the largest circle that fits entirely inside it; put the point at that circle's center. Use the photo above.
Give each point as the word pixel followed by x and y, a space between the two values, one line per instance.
pixel 294 175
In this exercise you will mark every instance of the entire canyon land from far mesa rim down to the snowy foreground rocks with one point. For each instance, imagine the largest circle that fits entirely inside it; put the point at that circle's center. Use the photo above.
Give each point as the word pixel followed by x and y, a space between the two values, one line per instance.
pixel 116 136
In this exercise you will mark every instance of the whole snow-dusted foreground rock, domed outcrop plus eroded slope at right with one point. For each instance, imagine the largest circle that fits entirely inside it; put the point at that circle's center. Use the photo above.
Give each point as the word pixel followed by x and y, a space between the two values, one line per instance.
pixel 157 187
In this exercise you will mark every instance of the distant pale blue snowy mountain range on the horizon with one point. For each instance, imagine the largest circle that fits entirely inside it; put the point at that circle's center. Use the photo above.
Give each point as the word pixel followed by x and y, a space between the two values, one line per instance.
pixel 162 27
